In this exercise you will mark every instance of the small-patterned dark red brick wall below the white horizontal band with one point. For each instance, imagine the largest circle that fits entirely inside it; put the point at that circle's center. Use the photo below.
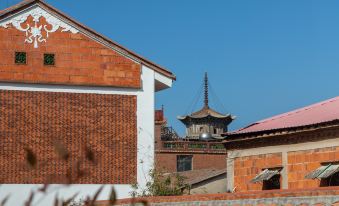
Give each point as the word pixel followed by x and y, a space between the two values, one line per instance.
pixel 37 120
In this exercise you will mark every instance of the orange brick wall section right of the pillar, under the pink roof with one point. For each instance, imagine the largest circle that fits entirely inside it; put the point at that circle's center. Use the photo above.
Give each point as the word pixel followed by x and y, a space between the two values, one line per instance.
pixel 301 163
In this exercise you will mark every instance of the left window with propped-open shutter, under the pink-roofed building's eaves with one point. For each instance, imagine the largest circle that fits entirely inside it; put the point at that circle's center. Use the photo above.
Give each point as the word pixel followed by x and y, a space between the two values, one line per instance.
pixel 270 179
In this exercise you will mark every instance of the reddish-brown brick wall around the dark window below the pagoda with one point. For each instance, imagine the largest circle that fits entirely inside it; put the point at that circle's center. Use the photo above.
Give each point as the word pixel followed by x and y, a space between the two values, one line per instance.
pixel 168 161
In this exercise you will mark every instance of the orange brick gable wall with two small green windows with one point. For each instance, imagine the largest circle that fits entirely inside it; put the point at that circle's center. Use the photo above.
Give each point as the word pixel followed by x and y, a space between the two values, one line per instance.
pixel 79 61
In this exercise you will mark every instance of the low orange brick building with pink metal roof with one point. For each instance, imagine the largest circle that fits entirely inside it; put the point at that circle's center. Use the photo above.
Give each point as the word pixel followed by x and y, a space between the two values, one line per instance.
pixel 294 150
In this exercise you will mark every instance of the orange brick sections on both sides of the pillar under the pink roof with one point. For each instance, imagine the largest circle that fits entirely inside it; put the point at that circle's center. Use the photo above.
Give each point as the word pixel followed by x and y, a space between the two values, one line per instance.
pixel 299 164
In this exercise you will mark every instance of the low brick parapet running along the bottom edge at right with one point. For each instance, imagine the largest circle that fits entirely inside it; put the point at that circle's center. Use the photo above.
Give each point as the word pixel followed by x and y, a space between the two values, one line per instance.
pixel 319 196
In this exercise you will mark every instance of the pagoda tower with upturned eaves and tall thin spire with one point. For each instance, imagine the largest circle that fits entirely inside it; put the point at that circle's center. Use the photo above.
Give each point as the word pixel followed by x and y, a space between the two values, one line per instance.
pixel 206 124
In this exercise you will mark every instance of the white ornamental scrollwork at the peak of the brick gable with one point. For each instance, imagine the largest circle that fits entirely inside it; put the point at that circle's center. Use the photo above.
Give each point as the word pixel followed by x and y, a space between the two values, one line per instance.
pixel 34 33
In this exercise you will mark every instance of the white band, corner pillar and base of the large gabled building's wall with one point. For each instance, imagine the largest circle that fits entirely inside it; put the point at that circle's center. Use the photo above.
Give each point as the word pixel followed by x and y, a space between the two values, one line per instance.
pixel 145 124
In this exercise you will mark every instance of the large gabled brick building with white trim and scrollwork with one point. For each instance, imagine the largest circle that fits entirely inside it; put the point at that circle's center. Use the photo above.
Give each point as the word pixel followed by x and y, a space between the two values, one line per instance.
pixel 62 83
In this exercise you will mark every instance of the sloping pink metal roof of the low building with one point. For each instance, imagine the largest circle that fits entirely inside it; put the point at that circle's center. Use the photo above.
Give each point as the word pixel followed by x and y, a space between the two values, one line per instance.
pixel 317 113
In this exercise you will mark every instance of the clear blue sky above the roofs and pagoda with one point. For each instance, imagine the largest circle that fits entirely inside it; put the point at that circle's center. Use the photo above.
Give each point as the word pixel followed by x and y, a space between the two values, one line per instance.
pixel 263 57
